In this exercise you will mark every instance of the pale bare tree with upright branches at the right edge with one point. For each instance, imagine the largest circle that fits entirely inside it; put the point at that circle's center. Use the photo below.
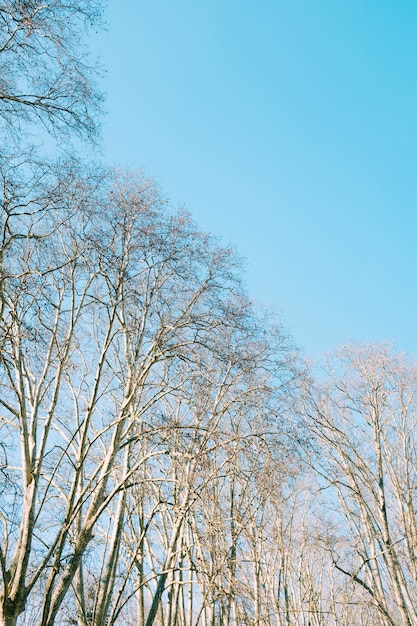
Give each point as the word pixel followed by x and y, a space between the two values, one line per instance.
pixel 364 421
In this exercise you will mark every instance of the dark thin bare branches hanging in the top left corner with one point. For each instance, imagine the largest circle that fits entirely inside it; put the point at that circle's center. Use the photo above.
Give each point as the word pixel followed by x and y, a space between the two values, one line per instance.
pixel 46 76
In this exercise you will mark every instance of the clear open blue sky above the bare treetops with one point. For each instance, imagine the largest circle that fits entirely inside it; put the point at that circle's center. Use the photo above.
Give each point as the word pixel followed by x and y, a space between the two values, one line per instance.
pixel 288 128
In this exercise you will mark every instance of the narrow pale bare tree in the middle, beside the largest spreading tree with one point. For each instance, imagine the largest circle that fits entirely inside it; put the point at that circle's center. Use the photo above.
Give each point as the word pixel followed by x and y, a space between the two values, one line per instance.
pixel 173 551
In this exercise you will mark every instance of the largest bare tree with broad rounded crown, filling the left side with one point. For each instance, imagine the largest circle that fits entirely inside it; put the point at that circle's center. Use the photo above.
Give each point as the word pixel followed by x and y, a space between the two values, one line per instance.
pixel 117 315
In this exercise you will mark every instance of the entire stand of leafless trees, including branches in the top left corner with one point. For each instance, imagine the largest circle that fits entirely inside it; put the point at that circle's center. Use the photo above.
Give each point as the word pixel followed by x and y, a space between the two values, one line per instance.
pixel 165 456
